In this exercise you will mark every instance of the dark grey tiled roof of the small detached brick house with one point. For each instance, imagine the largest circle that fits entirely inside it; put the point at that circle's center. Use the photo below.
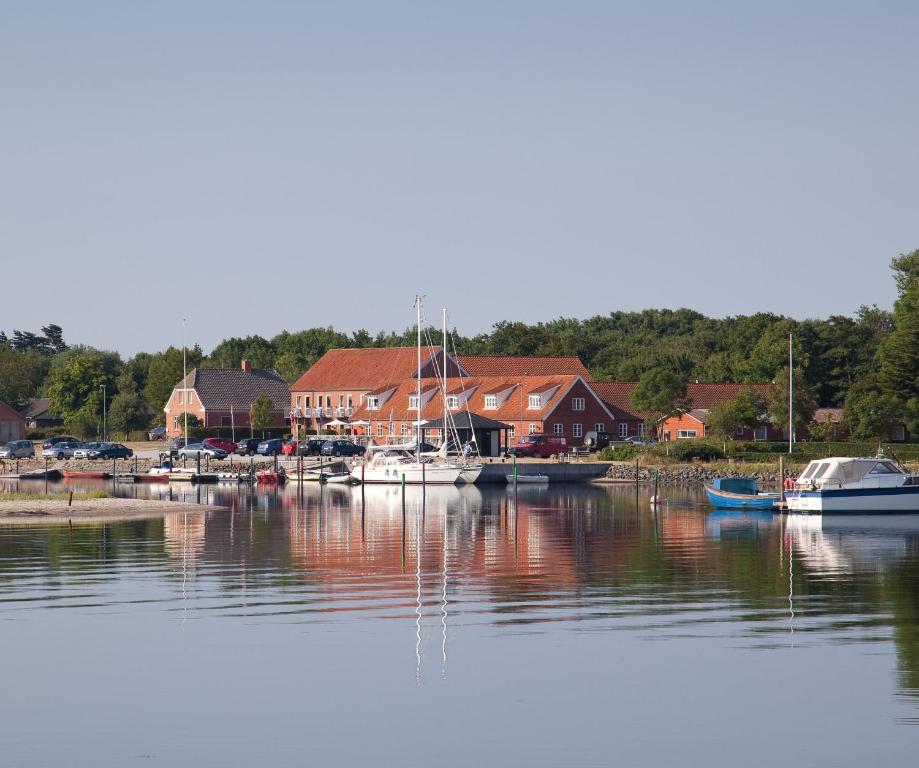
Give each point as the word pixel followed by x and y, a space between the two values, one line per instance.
pixel 220 388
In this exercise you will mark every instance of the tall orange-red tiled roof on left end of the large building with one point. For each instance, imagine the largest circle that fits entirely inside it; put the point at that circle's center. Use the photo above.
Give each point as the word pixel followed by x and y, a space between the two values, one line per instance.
pixel 372 368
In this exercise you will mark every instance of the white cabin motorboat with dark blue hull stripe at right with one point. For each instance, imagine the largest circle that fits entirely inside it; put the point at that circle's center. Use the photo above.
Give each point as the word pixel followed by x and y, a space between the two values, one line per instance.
pixel 842 484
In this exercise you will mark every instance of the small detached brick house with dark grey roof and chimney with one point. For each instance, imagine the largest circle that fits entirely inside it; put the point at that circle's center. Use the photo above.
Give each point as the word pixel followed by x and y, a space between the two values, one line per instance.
pixel 223 397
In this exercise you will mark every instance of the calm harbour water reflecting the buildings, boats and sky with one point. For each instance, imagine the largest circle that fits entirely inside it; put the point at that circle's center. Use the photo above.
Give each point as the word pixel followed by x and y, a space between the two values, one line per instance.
pixel 571 627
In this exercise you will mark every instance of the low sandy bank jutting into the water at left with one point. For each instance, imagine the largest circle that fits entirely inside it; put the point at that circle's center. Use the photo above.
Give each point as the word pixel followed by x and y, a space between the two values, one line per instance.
pixel 92 510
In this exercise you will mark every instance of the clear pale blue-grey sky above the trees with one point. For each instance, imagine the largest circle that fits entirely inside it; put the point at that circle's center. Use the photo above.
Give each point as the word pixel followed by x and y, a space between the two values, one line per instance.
pixel 255 167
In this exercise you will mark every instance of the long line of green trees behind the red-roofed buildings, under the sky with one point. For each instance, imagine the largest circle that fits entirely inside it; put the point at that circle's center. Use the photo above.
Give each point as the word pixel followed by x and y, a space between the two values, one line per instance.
pixel 867 363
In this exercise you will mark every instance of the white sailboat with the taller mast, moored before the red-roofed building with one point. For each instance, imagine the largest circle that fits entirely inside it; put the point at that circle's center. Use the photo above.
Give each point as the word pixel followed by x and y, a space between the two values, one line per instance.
pixel 394 465
